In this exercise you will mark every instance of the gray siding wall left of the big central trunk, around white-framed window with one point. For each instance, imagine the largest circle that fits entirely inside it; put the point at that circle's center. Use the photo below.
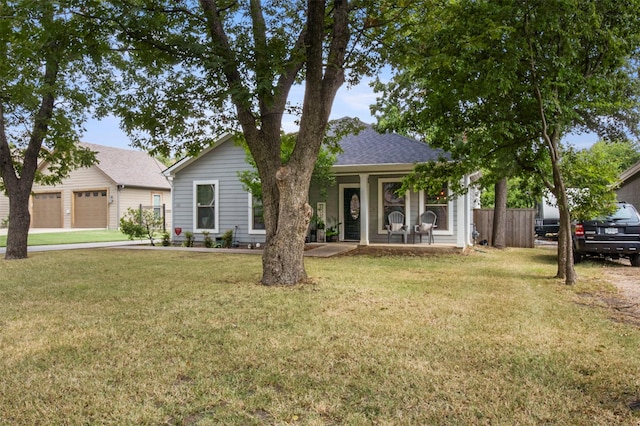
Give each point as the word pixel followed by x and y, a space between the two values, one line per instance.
pixel 222 164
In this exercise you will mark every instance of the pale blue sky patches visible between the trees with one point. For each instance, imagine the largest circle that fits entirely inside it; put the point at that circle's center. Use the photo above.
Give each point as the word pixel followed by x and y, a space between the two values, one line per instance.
pixel 350 102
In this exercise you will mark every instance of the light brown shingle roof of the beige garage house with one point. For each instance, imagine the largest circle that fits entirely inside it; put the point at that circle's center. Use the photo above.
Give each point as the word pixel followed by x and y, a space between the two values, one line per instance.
pixel 129 167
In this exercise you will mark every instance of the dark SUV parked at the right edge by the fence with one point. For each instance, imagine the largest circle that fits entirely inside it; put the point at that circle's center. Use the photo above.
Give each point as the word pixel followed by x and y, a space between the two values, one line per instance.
pixel 613 236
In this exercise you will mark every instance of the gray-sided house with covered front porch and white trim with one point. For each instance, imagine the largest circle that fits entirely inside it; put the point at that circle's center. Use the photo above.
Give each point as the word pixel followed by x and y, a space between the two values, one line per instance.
pixel 208 197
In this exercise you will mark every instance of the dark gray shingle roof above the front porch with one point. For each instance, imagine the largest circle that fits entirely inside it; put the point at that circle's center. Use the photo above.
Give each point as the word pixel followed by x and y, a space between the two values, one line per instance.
pixel 371 147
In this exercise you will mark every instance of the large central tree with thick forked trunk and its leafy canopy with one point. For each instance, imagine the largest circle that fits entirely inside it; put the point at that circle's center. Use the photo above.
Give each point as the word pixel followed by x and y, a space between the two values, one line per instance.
pixel 195 70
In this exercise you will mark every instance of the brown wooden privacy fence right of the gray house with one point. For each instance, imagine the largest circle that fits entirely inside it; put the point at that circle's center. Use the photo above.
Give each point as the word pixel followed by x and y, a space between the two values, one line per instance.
pixel 520 230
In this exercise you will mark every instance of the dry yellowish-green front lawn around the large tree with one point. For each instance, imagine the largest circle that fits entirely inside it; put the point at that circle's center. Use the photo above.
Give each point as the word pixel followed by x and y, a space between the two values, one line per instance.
pixel 149 337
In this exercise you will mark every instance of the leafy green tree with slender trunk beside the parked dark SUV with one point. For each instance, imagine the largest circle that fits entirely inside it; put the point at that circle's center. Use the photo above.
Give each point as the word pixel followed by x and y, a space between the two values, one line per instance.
pixel 519 75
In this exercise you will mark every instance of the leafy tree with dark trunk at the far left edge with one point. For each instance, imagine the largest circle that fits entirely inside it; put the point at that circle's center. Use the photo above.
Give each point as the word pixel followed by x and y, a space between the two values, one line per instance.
pixel 53 70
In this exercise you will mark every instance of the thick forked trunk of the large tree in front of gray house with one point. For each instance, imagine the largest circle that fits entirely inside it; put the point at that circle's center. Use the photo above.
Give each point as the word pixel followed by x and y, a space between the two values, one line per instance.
pixel 285 188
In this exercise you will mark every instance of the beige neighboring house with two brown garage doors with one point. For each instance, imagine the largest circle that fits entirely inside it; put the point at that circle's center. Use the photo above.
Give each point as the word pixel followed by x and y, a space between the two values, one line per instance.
pixel 98 196
